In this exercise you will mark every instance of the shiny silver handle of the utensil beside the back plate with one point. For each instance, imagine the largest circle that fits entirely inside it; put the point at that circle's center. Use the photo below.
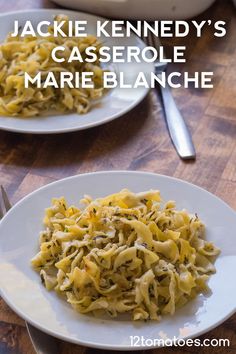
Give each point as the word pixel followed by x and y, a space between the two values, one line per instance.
pixel 178 130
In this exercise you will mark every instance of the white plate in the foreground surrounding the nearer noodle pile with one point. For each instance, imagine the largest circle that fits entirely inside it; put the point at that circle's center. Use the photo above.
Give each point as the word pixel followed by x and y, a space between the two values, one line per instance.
pixel 21 287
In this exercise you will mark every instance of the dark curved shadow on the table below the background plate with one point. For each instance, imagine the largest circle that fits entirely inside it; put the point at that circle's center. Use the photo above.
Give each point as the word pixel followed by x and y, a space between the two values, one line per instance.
pixel 29 150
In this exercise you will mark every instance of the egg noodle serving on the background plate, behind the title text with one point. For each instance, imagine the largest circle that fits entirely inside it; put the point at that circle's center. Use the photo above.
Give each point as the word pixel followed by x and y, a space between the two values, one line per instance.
pixel 32 55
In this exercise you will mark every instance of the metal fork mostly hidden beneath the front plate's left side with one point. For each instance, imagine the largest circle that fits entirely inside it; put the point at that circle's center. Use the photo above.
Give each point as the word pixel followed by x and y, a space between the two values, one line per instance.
pixel 42 342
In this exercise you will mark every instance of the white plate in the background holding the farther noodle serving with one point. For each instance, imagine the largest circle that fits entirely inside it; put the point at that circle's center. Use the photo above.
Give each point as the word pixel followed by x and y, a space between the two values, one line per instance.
pixel 118 102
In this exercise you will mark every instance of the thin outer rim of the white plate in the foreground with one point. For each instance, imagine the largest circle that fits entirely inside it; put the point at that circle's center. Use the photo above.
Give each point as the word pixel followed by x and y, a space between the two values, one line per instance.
pixel 104 345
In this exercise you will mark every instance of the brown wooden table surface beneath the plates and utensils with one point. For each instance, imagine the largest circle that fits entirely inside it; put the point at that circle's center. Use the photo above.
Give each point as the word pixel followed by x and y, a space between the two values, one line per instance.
pixel 137 141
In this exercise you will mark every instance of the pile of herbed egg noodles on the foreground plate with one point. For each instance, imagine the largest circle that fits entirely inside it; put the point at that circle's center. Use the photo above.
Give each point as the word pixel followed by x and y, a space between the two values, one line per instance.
pixel 126 252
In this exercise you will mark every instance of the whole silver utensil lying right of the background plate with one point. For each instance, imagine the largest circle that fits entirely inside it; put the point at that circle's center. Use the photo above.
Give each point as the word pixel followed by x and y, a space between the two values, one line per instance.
pixel 178 130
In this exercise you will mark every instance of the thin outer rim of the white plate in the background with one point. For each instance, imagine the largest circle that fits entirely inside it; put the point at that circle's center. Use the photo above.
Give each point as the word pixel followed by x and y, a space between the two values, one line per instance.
pixel 135 103
